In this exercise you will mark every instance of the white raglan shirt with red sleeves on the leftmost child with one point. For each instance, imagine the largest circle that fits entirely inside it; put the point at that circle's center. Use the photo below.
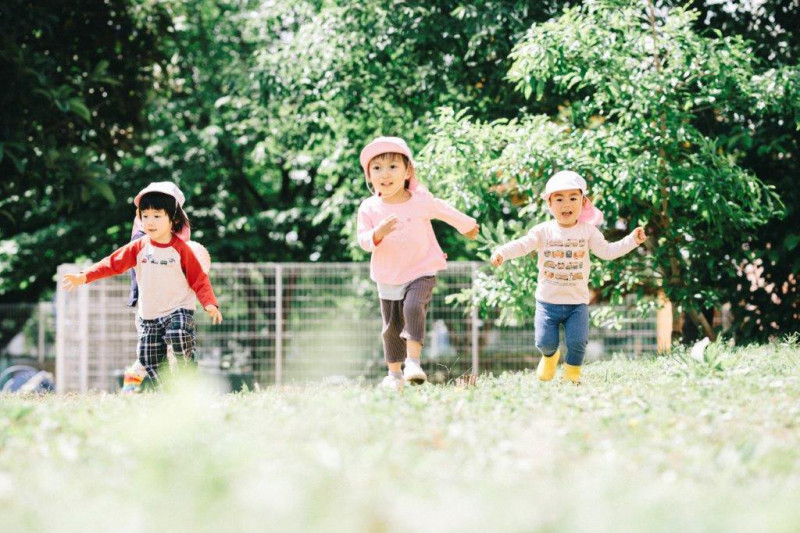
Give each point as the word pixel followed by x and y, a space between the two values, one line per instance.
pixel 169 275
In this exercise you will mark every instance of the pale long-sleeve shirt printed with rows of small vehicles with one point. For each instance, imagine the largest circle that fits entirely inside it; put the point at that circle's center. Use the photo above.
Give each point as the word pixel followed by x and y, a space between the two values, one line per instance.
pixel 563 258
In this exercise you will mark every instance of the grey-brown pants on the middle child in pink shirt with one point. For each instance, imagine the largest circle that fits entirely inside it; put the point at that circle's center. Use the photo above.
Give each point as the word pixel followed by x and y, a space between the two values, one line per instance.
pixel 405 319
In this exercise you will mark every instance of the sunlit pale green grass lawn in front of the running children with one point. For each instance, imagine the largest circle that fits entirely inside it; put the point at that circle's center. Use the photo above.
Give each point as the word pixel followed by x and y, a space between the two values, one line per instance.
pixel 666 444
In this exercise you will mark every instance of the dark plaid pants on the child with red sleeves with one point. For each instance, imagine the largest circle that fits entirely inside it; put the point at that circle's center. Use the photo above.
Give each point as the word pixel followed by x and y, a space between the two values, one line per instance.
pixel 175 329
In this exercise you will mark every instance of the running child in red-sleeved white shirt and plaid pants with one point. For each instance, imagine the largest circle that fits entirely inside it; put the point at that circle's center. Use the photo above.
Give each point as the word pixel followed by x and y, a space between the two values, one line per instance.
pixel 169 276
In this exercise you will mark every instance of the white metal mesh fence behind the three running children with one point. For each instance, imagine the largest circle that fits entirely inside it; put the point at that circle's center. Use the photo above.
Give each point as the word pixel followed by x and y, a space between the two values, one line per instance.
pixel 297 322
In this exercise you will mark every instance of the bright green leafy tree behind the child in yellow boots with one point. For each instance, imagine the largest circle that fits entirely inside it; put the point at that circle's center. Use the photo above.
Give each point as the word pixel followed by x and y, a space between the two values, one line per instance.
pixel 636 82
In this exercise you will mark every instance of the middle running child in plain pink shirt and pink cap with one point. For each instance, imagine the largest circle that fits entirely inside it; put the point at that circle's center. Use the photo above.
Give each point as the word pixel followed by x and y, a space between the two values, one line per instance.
pixel 395 225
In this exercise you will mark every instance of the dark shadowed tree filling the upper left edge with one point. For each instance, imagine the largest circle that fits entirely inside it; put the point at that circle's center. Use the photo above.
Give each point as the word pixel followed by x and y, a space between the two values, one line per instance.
pixel 76 82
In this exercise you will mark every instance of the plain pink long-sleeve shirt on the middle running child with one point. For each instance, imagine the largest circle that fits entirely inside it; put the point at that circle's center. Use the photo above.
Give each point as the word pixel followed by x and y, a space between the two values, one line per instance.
pixel 411 250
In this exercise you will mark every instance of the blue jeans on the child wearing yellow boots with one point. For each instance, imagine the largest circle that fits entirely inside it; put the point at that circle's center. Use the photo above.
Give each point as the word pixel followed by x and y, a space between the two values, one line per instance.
pixel 576 328
